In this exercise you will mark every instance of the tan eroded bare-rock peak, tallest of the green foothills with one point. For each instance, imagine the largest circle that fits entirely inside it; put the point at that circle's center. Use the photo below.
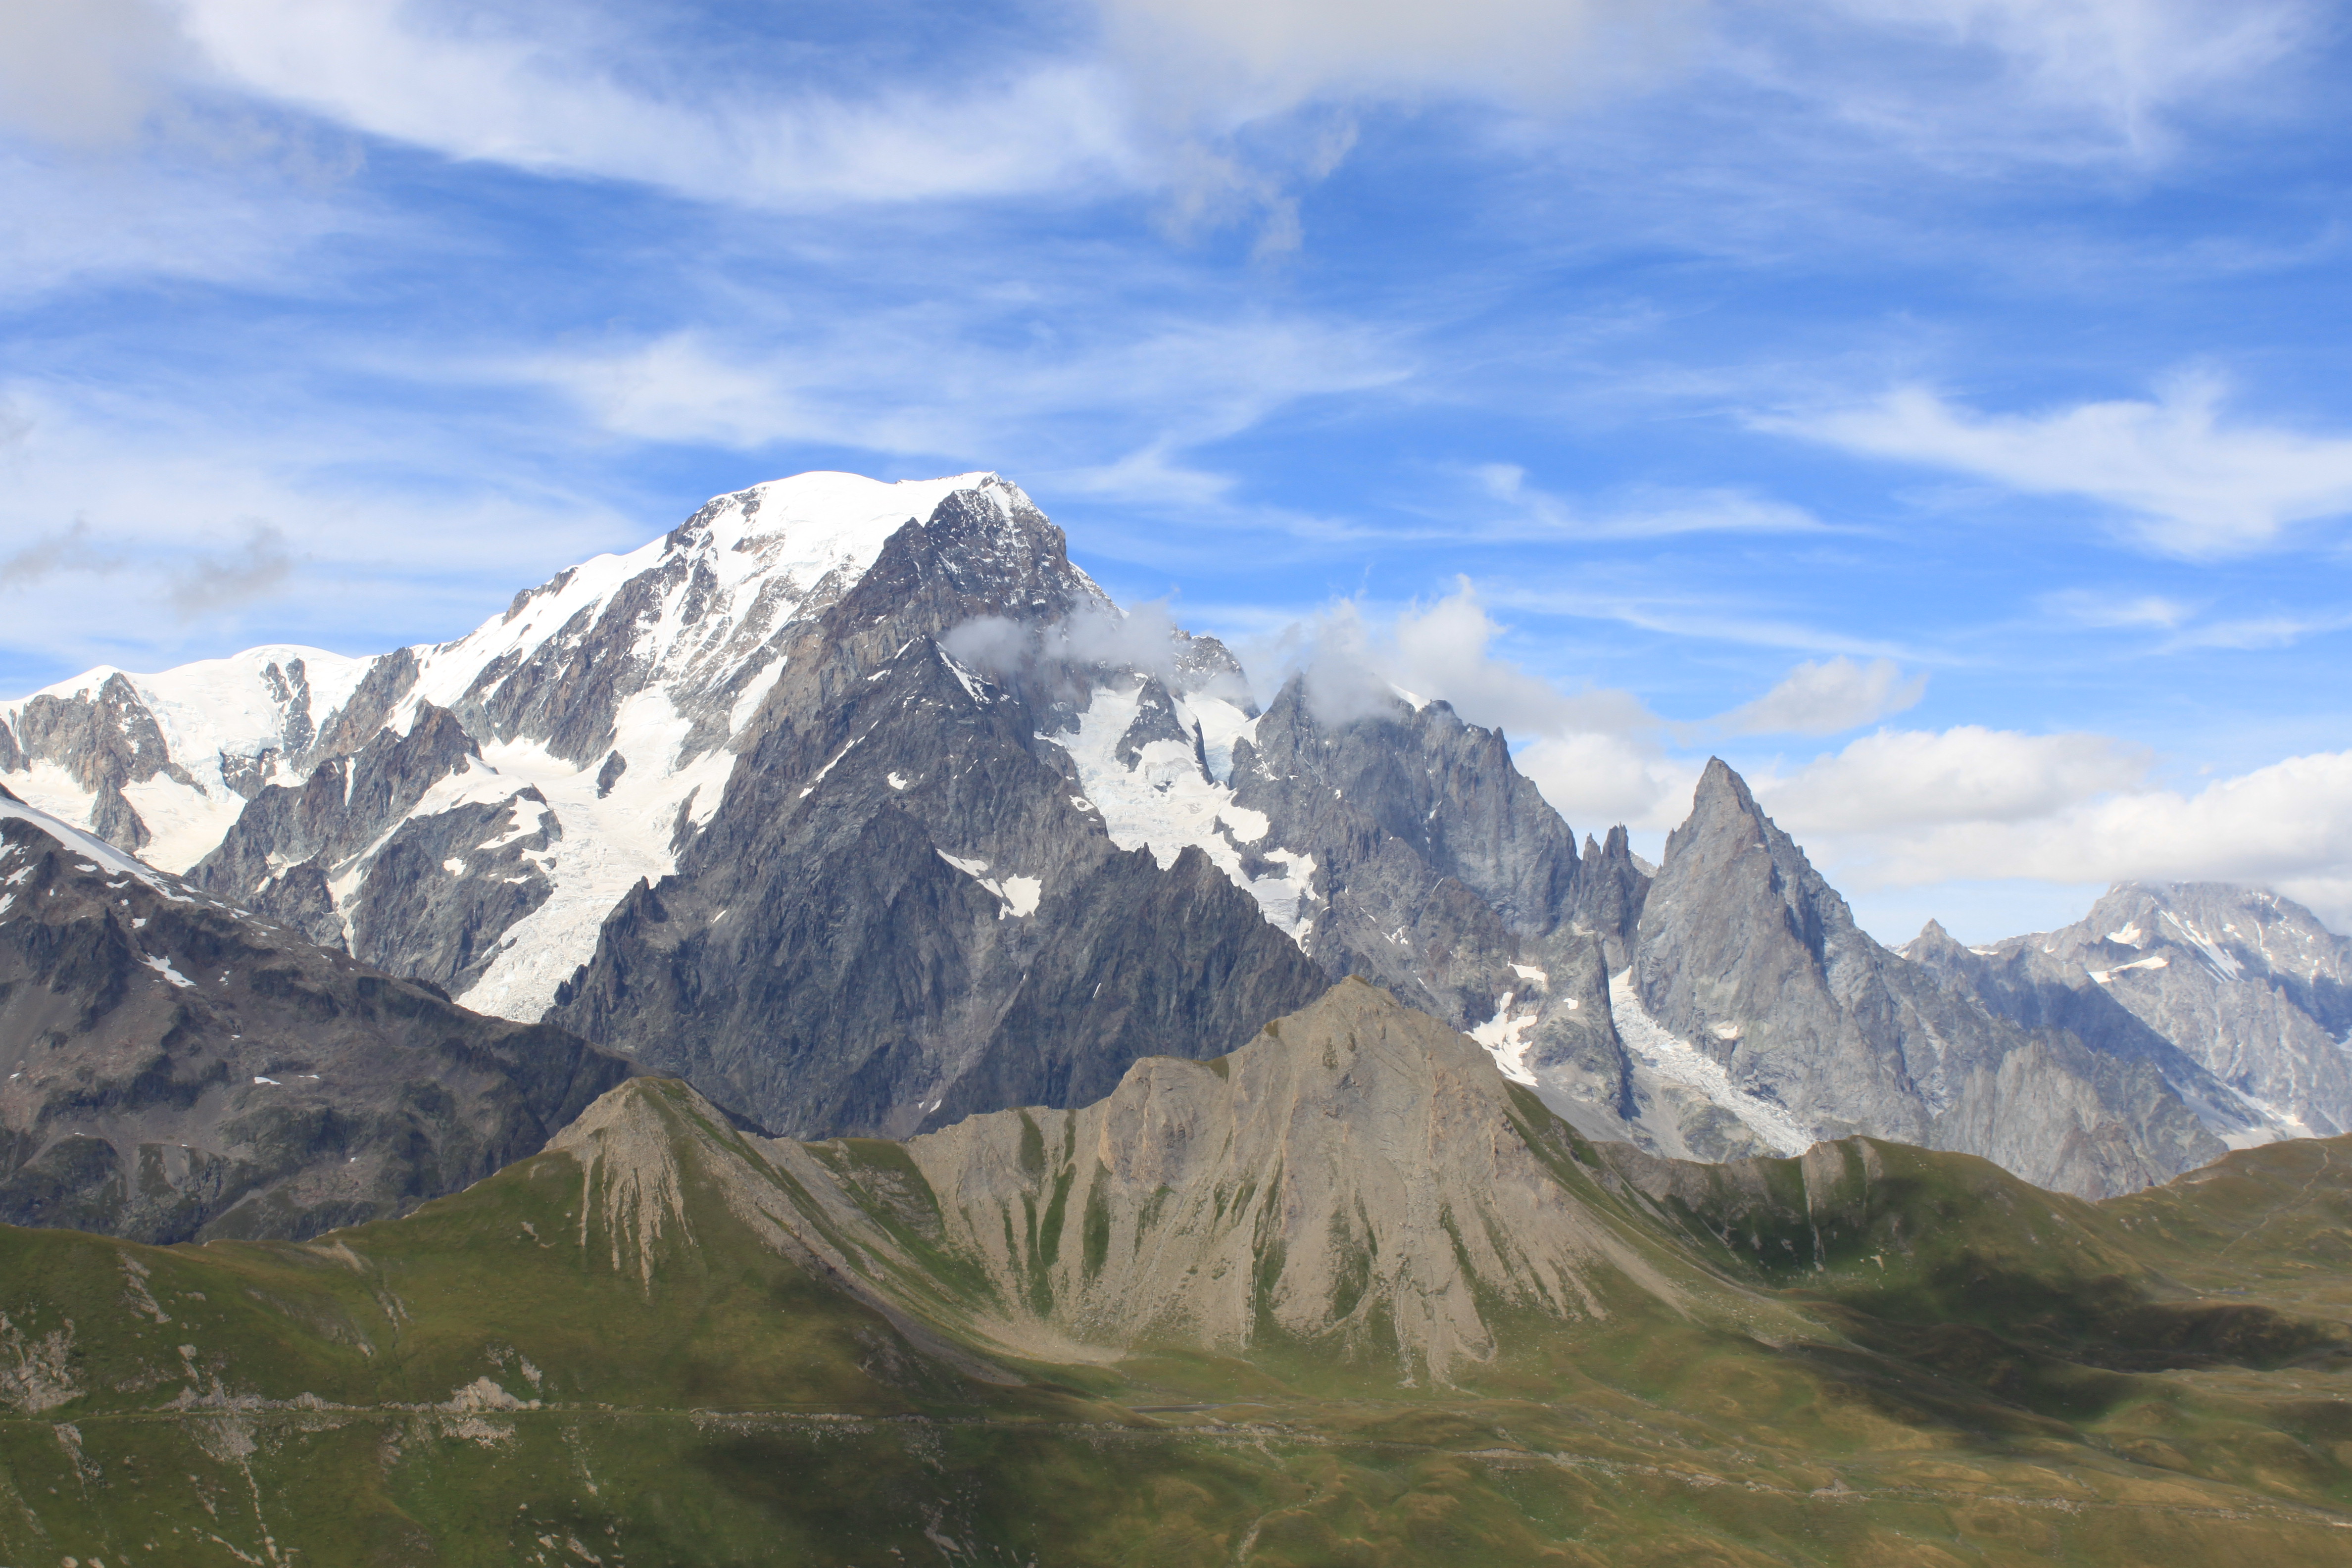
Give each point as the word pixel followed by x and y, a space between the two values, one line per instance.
pixel 1358 1177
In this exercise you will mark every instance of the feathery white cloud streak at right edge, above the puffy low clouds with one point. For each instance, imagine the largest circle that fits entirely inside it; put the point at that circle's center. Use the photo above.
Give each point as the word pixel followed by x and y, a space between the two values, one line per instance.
pixel 2189 481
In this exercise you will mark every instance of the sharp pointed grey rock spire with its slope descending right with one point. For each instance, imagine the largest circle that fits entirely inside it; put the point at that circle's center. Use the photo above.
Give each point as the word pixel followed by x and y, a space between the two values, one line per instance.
pixel 1753 984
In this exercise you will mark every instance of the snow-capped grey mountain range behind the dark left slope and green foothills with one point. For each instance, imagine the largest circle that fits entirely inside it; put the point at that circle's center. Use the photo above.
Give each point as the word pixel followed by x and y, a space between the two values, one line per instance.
pixel 867 810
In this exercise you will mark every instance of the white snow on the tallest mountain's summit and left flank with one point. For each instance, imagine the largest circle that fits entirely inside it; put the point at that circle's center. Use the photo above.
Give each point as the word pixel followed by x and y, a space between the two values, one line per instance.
pixel 766 556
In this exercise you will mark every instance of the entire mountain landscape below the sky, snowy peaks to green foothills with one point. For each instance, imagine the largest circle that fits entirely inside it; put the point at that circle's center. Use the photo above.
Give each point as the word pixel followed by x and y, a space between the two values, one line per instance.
pixel 824 1040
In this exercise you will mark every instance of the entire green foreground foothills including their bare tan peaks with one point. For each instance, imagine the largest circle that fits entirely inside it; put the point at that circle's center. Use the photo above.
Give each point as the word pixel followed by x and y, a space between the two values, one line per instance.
pixel 1342 1296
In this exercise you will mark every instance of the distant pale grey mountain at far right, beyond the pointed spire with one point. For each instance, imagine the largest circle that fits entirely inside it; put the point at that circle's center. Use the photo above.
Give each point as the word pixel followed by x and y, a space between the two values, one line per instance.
pixel 2243 998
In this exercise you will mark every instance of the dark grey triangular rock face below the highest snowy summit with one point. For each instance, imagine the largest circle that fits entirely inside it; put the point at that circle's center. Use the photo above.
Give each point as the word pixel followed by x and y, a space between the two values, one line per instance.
pixel 907 909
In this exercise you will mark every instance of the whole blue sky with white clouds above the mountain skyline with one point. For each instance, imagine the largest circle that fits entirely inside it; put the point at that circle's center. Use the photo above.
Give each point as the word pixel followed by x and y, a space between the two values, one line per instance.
pixel 1932 406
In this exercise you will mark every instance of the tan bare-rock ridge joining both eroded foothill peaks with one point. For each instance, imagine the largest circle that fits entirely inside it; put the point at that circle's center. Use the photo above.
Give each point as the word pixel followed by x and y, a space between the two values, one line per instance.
pixel 1356 1179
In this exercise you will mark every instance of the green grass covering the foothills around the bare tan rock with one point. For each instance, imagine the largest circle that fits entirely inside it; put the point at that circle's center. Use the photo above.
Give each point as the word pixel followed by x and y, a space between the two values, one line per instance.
pixel 1920 1362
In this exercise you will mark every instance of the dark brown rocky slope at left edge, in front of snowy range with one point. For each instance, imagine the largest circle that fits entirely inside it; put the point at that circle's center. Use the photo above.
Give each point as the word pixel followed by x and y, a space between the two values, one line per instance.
pixel 185 1071
